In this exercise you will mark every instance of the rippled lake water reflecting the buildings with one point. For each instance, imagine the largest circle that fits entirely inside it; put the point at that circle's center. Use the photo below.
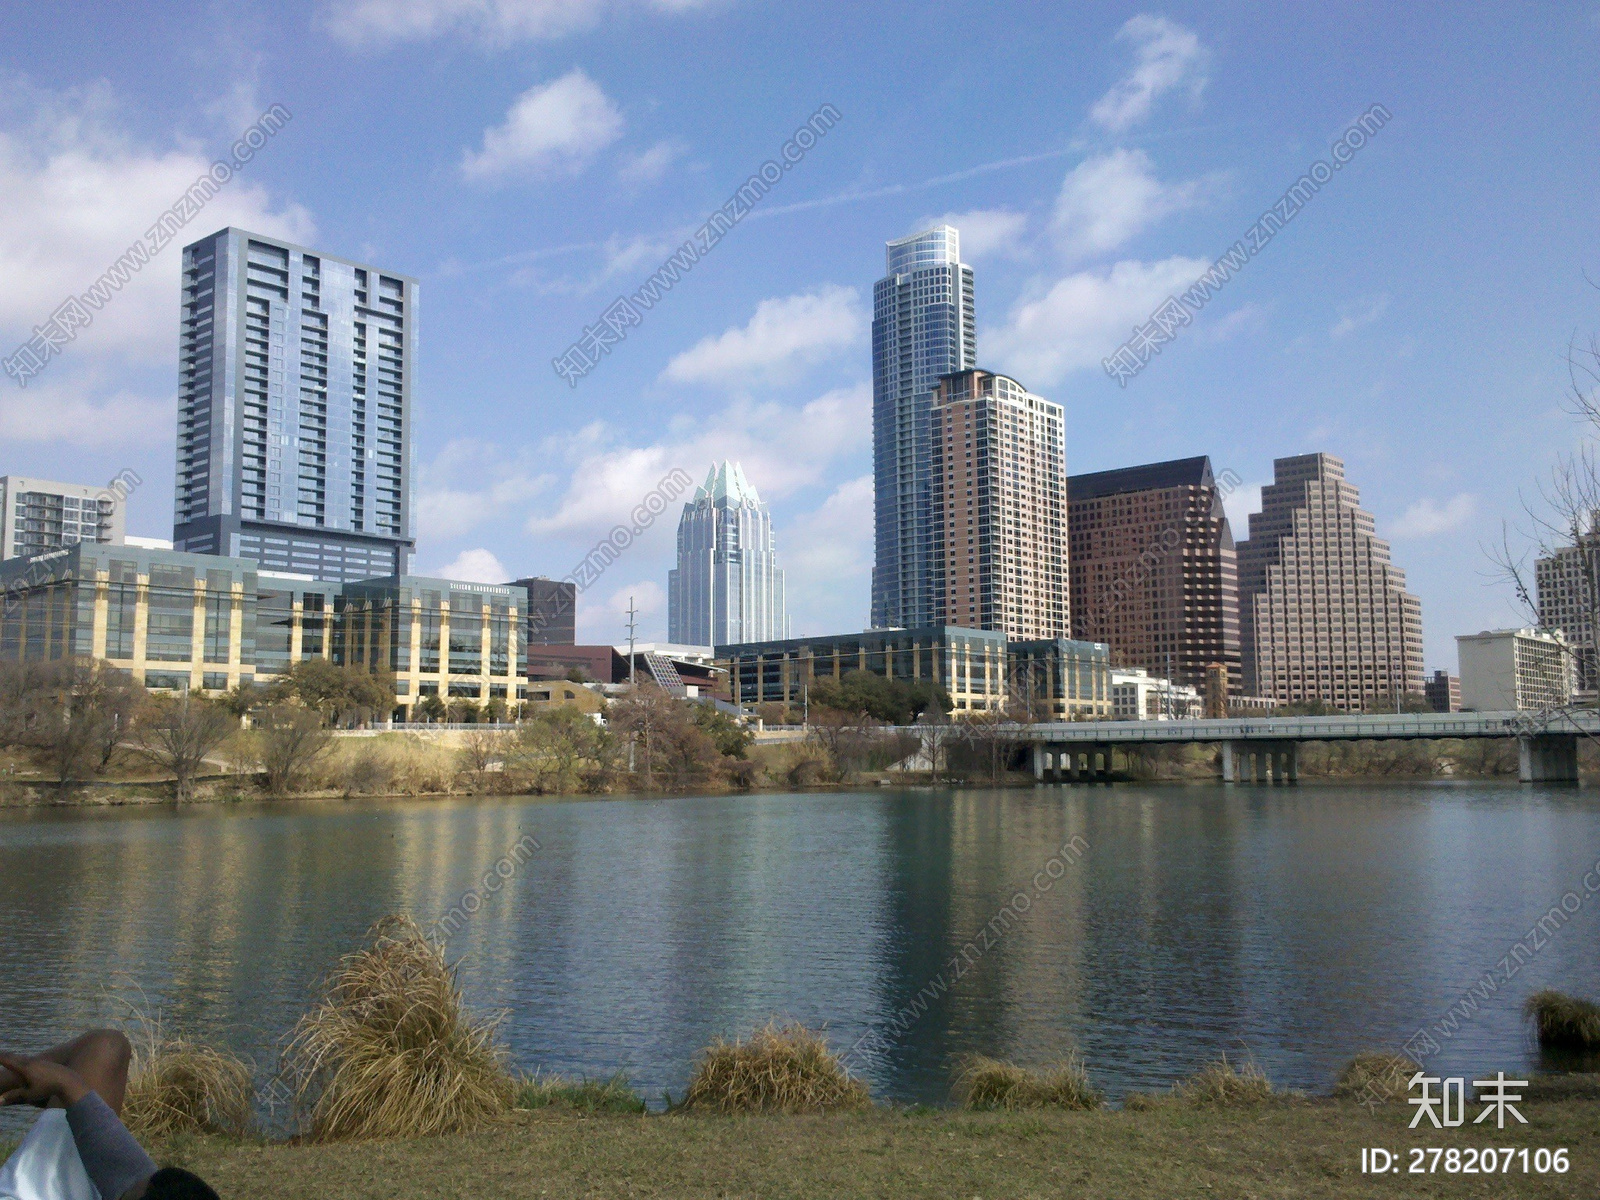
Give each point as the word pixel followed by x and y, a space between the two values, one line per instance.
pixel 1298 926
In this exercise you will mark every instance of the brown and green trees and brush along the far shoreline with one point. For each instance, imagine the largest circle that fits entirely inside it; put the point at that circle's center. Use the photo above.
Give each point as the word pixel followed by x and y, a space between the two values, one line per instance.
pixel 78 732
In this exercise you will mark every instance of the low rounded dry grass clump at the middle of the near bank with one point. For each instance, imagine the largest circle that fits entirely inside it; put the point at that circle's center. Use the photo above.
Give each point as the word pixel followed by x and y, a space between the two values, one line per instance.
pixel 780 1070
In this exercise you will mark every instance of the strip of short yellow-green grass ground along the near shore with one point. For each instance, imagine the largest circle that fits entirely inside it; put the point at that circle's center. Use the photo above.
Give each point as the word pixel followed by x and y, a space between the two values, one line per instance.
pixel 1281 1150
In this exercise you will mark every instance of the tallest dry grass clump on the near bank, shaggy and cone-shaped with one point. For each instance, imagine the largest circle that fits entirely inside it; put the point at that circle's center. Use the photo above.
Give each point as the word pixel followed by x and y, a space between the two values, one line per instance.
pixel 391 1052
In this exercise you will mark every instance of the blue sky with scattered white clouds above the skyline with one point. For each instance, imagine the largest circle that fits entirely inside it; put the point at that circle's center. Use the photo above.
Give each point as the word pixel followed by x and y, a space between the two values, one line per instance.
pixel 532 159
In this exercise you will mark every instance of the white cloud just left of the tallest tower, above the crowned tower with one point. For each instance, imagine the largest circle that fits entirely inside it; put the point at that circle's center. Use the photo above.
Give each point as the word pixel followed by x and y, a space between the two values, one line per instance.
pixel 783 338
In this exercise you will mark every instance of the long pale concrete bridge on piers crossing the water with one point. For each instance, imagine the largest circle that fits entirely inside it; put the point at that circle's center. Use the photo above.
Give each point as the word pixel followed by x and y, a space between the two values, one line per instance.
pixel 1265 750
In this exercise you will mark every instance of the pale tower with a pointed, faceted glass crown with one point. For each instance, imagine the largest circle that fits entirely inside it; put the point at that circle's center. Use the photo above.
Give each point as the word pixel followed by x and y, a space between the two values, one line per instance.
pixel 727 586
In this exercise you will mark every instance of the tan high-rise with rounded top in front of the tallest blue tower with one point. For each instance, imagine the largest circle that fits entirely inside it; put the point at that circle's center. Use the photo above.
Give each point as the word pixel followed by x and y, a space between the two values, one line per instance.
pixel 999 508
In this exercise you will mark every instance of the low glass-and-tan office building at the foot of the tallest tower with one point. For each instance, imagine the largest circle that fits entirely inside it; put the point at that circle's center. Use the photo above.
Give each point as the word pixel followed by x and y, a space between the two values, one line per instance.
pixel 970 665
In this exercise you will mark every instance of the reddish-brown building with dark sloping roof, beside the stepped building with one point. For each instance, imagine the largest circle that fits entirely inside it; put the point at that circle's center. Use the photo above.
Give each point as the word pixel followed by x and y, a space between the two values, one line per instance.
pixel 1154 570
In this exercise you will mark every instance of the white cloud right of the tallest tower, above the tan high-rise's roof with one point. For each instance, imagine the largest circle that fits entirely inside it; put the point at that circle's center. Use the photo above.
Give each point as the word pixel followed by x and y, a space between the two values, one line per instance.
pixel 1082 319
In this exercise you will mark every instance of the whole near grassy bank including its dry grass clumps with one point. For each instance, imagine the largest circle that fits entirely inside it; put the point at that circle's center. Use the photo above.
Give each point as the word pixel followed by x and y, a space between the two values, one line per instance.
pixel 396 1090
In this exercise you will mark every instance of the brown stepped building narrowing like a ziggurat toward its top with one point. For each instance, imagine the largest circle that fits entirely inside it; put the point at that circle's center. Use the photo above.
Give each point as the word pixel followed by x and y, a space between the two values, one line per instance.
pixel 1324 614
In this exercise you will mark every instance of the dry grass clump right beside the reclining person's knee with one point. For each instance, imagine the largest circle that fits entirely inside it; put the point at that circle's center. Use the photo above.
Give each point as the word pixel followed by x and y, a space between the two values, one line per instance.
pixel 182 1087
